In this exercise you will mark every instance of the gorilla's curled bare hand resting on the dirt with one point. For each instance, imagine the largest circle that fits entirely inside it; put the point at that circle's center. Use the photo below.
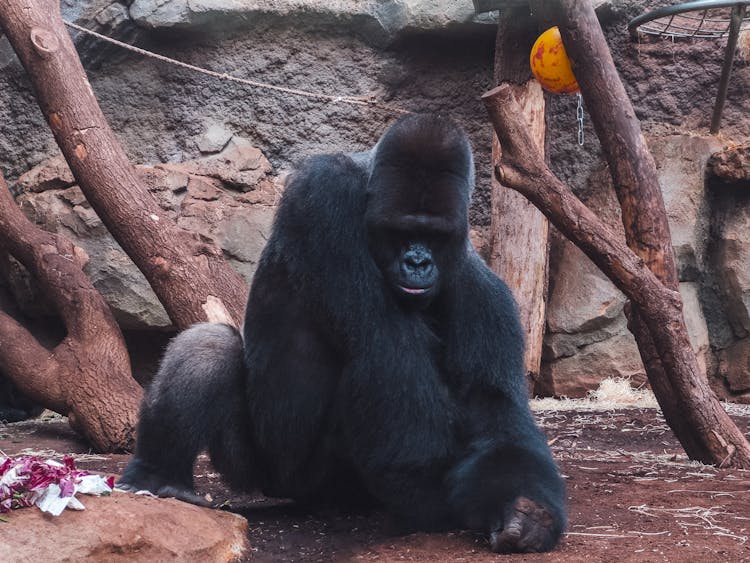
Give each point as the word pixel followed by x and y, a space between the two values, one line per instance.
pixel 528 528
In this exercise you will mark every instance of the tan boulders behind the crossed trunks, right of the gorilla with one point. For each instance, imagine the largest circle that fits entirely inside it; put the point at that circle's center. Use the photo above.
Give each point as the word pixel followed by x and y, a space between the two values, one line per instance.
pixel 587 338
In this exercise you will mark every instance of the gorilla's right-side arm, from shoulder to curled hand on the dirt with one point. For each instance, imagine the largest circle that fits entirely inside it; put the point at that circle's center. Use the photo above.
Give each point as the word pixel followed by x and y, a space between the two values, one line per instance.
pixel 508 483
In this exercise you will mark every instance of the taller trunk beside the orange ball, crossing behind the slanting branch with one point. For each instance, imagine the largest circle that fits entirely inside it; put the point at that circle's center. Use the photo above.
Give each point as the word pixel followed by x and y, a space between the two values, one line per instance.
pixel 643 214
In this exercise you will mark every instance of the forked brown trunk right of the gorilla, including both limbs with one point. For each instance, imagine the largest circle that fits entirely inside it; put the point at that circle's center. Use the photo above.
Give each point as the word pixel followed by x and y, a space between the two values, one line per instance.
pixel 649 280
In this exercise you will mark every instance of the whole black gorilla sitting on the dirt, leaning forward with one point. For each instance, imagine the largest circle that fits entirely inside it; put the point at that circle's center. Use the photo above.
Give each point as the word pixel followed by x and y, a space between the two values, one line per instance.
pixel 380 355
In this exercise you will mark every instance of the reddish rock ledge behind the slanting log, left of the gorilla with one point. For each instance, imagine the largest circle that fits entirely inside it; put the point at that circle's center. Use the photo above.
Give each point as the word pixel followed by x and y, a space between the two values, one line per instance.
pixel 228 198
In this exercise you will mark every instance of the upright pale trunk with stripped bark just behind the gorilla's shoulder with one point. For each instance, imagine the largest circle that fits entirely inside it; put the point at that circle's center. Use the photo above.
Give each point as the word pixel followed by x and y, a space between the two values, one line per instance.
pixel 519 232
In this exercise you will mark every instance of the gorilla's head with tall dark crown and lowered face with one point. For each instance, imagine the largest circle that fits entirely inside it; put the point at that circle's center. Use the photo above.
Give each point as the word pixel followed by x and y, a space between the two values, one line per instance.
pixel 421 176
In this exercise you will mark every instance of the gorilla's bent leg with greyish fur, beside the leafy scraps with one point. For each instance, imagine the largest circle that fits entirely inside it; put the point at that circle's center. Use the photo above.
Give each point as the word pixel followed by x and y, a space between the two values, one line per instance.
pixel 196 400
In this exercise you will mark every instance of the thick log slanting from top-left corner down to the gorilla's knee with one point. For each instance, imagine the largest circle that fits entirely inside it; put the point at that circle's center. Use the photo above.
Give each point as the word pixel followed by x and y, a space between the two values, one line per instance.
pixel 187 275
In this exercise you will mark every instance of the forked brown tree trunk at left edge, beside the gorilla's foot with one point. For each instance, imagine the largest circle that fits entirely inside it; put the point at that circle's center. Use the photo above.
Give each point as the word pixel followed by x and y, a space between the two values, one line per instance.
pixel 87 376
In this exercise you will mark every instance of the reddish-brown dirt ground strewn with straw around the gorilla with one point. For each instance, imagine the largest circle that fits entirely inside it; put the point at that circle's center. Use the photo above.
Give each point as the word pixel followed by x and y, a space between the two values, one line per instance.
pixel 633 494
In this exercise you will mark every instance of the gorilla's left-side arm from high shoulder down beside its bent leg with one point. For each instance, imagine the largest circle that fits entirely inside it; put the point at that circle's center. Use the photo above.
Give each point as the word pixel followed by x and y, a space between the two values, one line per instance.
pixel 293 331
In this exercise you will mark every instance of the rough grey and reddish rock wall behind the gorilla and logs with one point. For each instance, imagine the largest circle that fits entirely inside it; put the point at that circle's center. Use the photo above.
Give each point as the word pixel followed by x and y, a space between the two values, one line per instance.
pixel 429 55
